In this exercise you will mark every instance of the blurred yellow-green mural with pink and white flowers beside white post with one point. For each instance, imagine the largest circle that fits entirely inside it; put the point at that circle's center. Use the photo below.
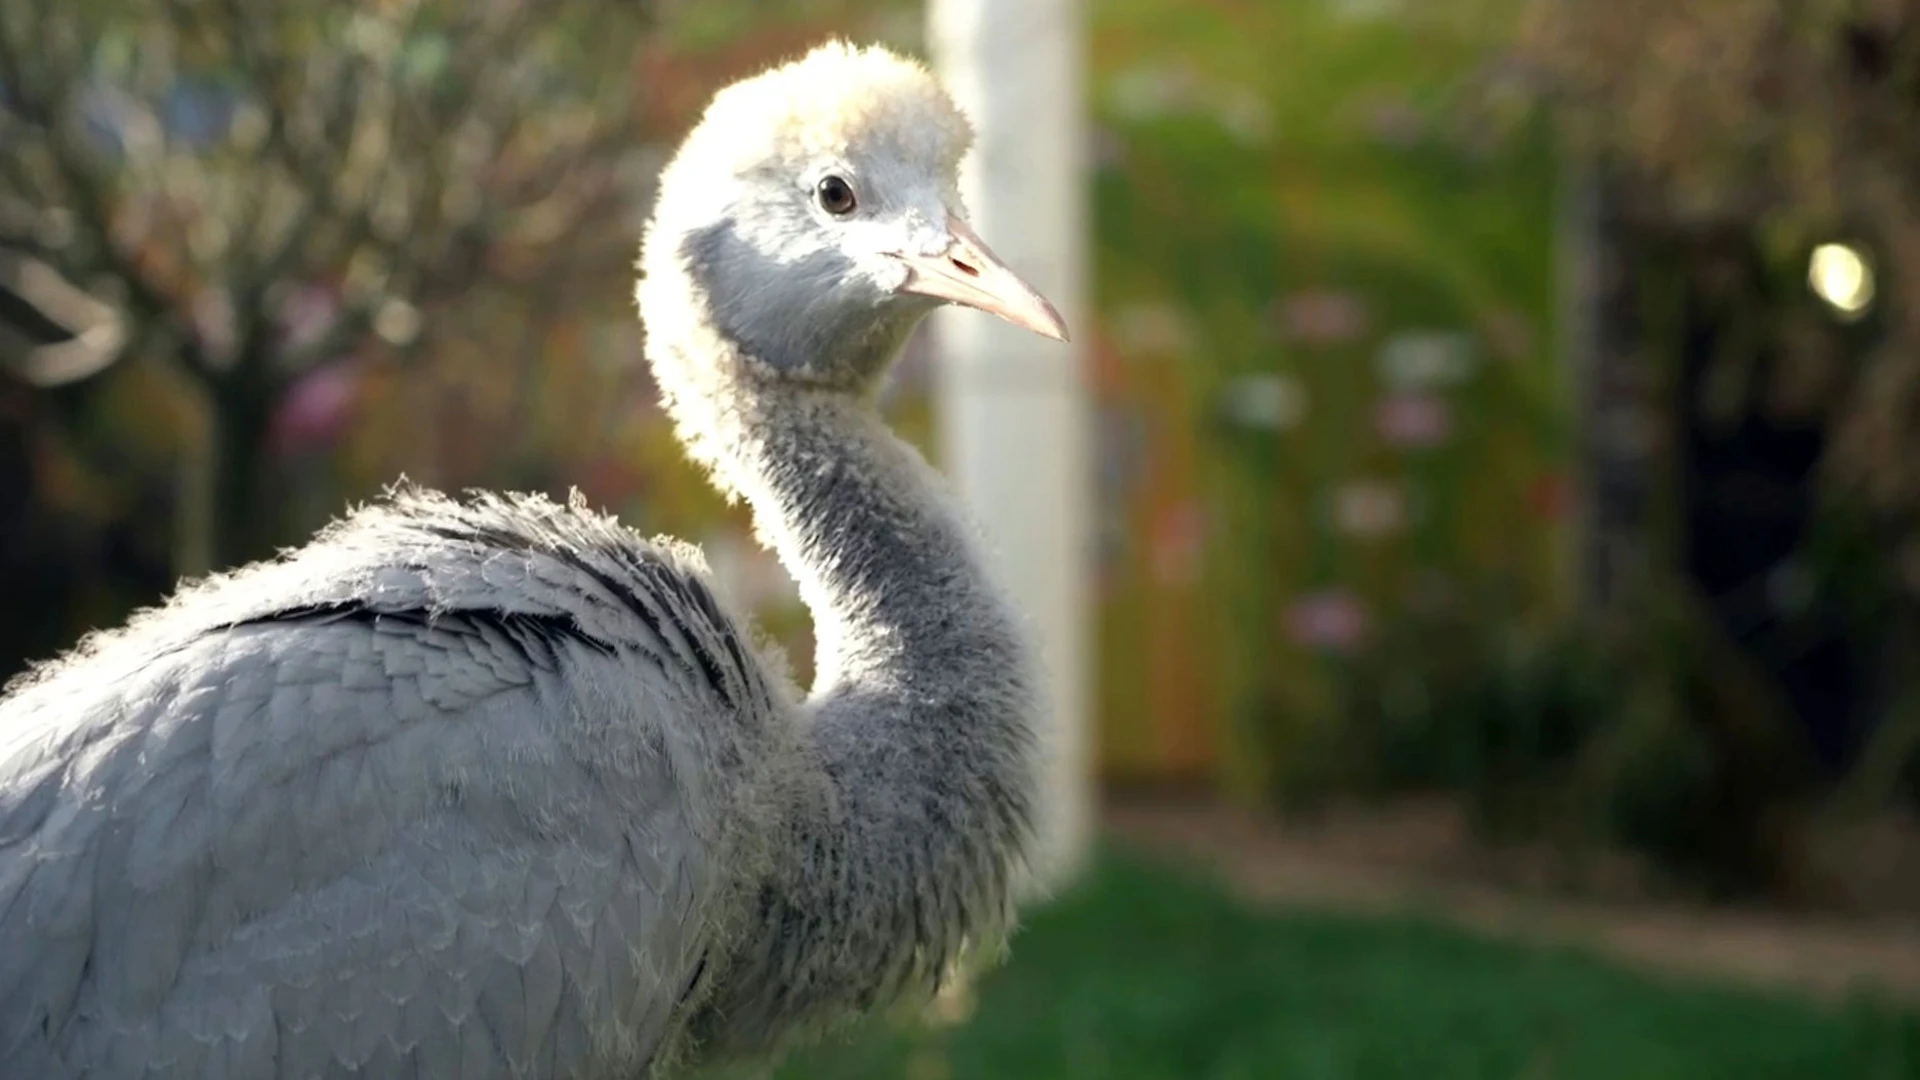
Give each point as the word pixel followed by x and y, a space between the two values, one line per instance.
pixel 1362 178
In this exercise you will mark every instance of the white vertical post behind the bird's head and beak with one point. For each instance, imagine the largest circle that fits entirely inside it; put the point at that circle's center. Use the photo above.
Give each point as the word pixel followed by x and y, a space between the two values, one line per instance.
pixel 1013 408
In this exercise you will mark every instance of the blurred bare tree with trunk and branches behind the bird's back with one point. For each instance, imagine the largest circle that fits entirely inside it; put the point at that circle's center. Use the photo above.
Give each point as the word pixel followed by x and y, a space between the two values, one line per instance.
pixel 204 164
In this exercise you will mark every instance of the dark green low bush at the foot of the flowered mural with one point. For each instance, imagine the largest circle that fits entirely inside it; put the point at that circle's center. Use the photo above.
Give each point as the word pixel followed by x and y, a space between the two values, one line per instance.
pixel 1658 737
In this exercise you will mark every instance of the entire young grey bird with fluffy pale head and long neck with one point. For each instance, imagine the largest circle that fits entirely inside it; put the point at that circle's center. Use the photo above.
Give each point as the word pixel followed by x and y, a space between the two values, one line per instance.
pixel 494 787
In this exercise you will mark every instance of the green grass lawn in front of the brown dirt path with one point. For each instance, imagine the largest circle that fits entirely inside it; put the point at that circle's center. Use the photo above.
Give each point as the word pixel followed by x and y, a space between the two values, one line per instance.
pixel 1145 975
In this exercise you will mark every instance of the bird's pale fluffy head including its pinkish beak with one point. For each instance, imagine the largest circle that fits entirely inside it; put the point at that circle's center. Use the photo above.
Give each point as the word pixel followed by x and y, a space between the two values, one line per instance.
pixel 817 214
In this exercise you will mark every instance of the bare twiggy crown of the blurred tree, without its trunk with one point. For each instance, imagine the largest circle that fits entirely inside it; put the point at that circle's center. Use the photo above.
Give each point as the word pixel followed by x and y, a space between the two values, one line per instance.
pixel 406 155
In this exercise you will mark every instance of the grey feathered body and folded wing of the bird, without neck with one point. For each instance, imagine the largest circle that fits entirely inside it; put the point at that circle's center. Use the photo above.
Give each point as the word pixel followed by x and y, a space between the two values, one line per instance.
pixel 421 798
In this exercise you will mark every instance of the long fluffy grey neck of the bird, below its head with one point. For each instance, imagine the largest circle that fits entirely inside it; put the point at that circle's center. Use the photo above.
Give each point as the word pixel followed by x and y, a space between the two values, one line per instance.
pixel 921 722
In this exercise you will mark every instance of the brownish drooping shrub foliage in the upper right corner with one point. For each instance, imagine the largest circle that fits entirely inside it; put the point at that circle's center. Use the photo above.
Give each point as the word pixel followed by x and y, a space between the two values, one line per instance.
pixel 1798 120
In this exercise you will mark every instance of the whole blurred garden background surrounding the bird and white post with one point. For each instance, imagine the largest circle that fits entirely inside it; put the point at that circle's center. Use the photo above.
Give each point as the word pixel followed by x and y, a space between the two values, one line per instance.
pixel 1502 470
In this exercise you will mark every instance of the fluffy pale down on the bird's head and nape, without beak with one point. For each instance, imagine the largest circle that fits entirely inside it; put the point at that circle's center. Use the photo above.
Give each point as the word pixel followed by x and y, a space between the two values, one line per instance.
pixel 750 170
